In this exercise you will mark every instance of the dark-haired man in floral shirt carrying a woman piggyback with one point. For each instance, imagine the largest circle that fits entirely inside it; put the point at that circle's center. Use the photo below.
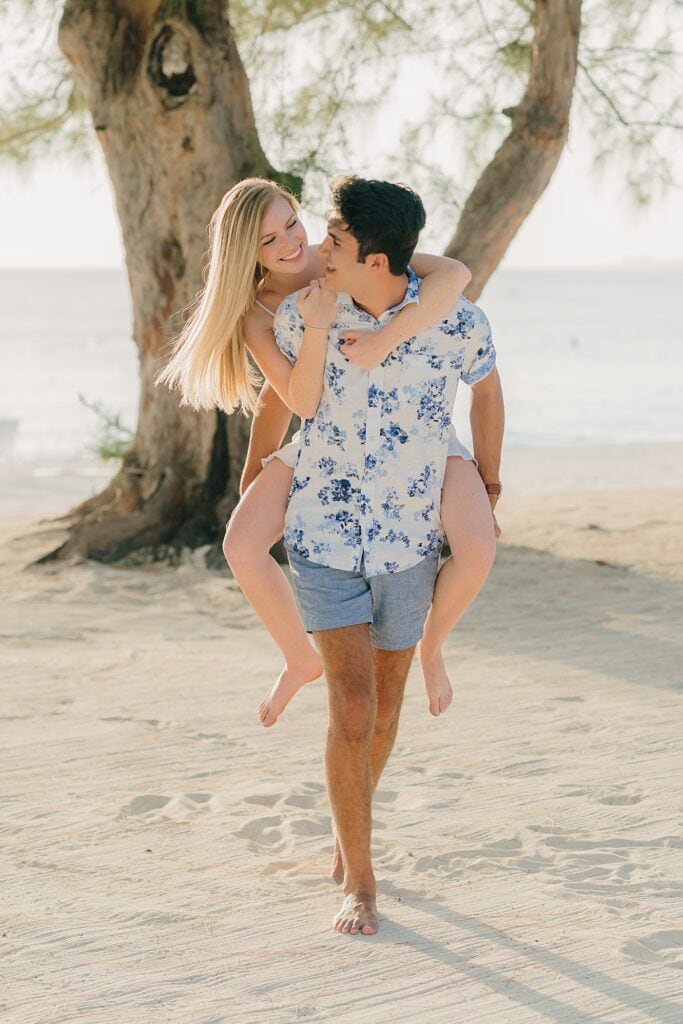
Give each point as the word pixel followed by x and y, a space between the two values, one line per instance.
pixel 363 531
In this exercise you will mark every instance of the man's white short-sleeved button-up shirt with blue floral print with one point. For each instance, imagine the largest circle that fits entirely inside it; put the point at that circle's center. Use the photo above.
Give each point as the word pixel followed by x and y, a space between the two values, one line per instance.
pixel 367 488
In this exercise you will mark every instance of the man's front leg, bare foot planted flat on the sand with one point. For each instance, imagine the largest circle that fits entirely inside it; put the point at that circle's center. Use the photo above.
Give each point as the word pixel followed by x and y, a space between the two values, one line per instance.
pixel 349 667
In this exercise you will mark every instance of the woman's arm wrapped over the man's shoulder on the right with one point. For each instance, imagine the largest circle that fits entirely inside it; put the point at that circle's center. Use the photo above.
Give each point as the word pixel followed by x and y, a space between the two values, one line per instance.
pixel 444 283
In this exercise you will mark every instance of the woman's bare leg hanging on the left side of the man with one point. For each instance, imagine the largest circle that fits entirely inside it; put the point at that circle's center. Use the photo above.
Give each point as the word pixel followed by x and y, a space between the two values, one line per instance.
pixel 255 526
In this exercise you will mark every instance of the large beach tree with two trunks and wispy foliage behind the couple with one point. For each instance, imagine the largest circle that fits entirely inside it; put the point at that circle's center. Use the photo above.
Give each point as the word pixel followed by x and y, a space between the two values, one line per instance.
pixel 169 101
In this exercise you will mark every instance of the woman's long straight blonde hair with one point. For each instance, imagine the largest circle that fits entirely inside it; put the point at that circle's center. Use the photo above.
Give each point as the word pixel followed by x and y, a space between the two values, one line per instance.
pixel 209 363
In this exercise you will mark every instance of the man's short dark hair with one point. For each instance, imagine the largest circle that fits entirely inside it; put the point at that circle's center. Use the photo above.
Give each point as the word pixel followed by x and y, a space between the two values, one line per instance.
pixel 383 218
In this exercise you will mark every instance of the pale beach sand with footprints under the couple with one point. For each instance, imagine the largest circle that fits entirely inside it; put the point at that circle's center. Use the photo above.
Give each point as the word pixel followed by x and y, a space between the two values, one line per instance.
pixel 164 859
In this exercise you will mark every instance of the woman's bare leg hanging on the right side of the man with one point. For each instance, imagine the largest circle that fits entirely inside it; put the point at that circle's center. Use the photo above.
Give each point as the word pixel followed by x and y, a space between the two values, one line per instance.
pixel 468 525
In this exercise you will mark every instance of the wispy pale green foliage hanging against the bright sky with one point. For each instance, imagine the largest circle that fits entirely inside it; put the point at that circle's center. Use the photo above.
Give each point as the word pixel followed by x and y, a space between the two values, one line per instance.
pixel 325 72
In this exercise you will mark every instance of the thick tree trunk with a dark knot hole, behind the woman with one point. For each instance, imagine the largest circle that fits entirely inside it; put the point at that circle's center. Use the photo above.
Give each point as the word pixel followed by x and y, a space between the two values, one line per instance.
pixel 172 108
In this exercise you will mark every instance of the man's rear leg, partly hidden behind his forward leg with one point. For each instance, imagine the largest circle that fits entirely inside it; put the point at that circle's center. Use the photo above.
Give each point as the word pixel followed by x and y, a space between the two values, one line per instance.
pixel 392 668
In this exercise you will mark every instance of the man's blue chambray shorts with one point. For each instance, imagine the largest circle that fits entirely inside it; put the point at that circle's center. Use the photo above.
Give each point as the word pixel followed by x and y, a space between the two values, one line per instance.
pixel 396 605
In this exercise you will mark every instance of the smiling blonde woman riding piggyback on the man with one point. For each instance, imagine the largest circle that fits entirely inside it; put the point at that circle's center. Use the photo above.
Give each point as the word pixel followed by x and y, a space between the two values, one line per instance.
pixel 261 254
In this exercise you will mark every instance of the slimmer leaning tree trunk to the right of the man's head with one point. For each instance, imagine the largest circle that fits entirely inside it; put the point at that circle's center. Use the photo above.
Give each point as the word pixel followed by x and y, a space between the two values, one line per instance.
pixel 511 185
